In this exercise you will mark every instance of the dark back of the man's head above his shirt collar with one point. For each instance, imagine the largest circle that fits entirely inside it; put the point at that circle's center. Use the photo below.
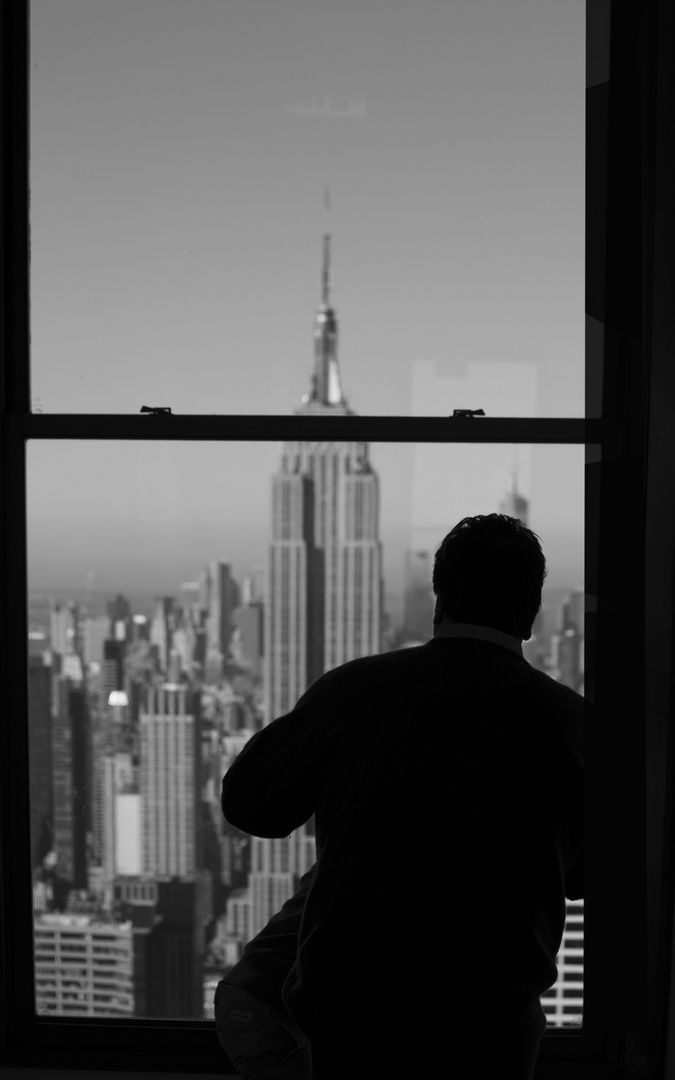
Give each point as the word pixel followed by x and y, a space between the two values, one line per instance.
pixel 491 570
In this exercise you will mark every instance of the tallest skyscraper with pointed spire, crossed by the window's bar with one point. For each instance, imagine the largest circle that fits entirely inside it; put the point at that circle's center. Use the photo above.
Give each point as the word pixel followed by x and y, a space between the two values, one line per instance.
pixel 325 583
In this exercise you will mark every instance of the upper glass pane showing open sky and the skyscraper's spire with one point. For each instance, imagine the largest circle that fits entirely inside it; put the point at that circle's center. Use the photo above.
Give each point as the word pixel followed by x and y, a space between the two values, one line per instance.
pixel 181 155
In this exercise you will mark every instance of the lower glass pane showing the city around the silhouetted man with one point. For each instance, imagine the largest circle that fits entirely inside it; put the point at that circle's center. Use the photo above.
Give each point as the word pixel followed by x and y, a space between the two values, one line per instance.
pixel 156 597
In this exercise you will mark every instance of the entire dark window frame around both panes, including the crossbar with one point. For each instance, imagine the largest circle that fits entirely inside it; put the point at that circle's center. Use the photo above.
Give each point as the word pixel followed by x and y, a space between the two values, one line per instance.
pixel 622 425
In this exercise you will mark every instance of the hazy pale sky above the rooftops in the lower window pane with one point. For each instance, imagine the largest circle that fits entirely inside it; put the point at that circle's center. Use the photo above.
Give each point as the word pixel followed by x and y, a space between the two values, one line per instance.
pixel 156 515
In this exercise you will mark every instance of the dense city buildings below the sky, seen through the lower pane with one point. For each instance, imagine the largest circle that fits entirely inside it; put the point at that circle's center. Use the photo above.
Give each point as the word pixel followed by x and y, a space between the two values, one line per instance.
pixel 136 744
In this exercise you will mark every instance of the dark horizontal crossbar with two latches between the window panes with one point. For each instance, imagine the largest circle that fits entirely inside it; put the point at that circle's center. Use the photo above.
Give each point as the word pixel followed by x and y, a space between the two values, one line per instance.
pixel 373 429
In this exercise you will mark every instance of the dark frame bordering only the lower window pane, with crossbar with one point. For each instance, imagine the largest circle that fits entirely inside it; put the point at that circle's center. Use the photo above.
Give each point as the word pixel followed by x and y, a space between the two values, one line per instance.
pixel 71 1042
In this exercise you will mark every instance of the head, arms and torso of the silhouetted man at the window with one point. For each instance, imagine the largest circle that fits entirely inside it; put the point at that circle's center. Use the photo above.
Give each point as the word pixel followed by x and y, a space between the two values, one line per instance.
pixel 448 787
